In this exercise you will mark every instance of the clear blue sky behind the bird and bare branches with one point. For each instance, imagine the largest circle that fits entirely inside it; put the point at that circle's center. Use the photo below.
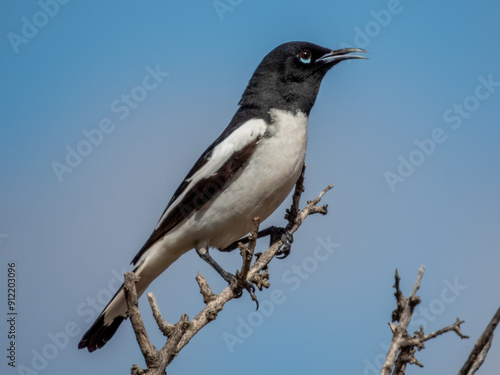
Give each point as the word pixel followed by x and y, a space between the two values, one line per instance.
pixel 408 137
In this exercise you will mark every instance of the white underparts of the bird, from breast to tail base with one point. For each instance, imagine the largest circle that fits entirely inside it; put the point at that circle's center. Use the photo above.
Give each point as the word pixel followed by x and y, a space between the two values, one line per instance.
pixel 257 190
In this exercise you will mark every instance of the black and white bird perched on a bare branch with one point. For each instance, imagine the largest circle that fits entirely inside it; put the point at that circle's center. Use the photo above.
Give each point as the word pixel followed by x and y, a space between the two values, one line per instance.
pixel 247 172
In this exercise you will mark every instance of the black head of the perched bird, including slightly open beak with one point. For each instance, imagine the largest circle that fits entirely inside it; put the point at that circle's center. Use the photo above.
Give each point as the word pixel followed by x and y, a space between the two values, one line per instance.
pixel 289 77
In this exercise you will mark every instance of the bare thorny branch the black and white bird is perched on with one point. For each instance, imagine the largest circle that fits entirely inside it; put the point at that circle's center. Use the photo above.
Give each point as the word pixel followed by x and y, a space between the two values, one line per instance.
pixel 179 334
